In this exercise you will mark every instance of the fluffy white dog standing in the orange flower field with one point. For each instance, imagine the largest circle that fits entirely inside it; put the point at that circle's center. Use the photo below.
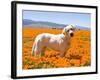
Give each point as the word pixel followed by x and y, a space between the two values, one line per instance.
pixel 60 42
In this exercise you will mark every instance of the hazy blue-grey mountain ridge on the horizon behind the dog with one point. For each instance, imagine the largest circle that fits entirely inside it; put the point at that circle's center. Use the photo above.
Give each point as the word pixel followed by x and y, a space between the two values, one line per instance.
pixel 44 24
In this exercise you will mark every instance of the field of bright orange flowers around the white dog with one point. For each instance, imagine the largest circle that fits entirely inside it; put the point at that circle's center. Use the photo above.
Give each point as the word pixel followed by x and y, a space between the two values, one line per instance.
pixel 79 53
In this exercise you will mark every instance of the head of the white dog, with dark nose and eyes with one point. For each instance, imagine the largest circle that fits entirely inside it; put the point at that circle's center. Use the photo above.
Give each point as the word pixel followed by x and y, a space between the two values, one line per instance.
pixel 69 30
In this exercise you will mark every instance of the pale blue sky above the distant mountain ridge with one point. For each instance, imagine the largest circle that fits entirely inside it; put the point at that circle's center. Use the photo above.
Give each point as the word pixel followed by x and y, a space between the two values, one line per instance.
pixel 80 19
